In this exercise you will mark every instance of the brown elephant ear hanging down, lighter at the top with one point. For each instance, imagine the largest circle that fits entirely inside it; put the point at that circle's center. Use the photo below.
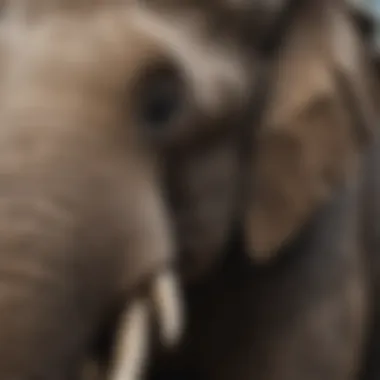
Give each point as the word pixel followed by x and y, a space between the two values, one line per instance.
pixel 319 116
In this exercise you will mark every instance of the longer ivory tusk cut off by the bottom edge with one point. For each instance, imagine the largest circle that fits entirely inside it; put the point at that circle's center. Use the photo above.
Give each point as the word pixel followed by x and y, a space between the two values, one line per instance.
pixel 132 343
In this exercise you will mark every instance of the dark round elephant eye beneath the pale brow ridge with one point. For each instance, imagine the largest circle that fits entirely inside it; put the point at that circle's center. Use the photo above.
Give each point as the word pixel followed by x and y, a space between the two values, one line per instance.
pixel 160 98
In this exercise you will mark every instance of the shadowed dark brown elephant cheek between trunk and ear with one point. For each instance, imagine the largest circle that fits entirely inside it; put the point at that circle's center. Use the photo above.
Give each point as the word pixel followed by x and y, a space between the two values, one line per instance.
pixel 204 197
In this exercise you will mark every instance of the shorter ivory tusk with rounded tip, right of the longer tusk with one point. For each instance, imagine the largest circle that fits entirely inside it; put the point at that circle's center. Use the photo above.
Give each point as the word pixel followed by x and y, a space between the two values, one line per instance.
pixel 168 306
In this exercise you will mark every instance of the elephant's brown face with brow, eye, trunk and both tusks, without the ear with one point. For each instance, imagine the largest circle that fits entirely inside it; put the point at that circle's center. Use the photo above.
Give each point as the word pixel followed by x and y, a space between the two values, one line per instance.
pixel 93 96
